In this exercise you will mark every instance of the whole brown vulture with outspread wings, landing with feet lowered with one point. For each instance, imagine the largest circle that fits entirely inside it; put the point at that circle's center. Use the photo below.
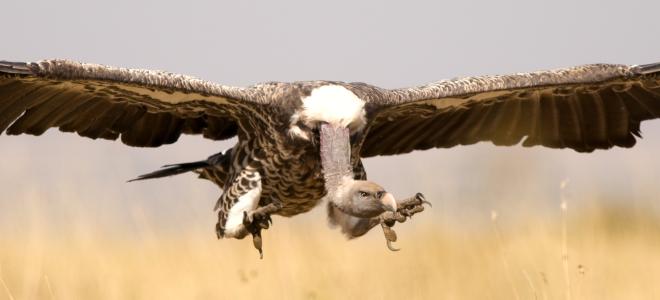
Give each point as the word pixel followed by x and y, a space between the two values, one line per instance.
pixel 301 143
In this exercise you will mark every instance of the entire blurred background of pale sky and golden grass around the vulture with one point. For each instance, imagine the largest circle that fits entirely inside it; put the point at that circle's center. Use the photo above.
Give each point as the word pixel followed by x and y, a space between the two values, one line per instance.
pixel 71 227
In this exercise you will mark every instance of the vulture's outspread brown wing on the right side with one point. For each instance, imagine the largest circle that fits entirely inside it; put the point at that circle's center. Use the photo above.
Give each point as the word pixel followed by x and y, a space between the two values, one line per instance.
pixel 584 108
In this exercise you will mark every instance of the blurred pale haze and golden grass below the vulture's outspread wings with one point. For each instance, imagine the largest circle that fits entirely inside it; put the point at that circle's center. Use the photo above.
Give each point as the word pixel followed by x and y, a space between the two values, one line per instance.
pixel 70 230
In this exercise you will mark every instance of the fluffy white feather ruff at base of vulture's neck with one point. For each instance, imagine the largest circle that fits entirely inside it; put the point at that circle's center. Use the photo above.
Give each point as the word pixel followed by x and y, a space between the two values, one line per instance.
pixel 333 104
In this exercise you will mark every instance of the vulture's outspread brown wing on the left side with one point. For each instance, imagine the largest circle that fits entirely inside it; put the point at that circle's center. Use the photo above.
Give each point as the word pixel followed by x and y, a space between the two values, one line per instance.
pixel 145 108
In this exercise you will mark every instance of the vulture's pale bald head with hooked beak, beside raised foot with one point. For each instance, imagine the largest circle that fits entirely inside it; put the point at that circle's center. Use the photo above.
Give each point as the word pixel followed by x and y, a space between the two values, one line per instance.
pixel 363 199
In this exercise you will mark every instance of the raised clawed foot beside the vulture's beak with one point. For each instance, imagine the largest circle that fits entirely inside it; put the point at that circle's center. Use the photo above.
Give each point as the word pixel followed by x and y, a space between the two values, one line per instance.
pixel 406 209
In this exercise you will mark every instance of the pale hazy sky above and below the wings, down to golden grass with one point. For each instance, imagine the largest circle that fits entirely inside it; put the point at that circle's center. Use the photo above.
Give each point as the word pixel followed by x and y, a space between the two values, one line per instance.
pixel 387 43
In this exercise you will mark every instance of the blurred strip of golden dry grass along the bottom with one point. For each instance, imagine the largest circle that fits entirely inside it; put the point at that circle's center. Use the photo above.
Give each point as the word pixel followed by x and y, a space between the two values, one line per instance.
pixel 607 253
